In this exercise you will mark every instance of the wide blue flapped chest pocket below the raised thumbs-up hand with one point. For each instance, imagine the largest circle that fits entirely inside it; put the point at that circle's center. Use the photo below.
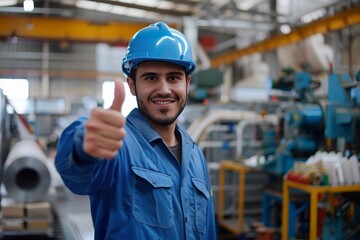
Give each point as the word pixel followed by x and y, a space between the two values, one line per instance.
pixel 152 198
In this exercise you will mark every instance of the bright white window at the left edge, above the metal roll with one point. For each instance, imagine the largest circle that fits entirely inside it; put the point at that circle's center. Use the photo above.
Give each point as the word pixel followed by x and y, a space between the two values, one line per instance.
pixel 17 91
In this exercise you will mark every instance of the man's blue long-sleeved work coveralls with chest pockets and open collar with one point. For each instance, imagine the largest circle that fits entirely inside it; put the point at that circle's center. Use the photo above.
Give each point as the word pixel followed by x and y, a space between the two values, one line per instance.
pixel 143 193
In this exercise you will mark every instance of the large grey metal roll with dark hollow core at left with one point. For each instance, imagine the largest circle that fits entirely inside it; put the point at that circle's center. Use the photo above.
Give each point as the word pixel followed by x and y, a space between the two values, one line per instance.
pixel 26 175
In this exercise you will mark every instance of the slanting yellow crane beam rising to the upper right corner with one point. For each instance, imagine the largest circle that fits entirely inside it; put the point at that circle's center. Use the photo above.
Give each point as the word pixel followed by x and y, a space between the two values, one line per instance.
pixel 336 22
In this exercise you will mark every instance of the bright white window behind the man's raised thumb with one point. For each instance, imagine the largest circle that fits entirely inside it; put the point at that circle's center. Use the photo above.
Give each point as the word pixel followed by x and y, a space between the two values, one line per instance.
pixel 108 96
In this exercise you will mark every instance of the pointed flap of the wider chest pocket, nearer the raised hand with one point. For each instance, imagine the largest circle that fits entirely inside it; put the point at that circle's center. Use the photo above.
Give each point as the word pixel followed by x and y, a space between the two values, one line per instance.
pixel 156 179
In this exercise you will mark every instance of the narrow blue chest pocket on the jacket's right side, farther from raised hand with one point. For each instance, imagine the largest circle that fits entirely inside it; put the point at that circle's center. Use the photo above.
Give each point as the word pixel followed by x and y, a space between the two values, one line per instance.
pixel 201 195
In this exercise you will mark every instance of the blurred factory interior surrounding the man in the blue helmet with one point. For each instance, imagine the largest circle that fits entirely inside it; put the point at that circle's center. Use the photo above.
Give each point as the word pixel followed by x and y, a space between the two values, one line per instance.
pixel 274 105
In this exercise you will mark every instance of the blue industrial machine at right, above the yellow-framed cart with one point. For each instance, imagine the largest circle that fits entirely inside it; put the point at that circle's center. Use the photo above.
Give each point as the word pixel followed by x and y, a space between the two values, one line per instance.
pixel 305 122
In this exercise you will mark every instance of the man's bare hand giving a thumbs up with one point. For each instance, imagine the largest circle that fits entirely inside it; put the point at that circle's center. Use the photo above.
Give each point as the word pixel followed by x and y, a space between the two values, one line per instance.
pixel 104 131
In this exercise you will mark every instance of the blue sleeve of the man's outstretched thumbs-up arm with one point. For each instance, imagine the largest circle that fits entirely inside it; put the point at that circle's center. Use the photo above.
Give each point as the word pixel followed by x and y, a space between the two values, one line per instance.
pixel 80 172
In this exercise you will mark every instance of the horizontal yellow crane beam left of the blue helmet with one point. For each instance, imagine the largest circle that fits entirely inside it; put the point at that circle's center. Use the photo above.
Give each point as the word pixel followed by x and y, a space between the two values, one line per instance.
pixel 61 29
